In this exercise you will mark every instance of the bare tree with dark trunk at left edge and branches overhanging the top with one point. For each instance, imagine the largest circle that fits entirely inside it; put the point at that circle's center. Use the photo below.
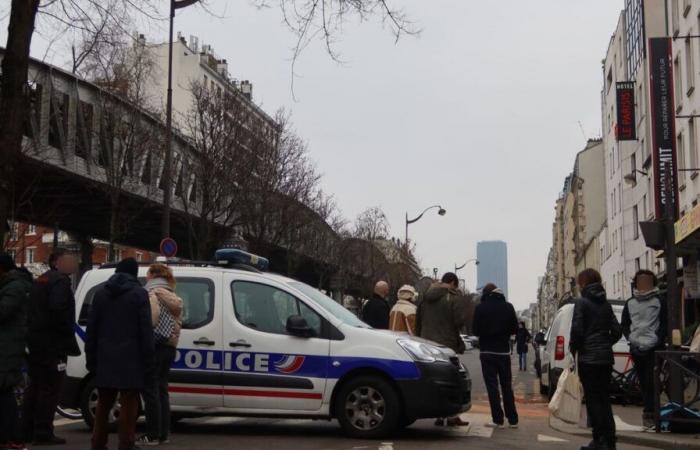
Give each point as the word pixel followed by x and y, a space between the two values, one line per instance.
pixel 308 18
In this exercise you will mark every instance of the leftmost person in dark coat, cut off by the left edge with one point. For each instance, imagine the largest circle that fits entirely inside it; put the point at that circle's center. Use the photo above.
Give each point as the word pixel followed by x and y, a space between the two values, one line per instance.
pixel 14 296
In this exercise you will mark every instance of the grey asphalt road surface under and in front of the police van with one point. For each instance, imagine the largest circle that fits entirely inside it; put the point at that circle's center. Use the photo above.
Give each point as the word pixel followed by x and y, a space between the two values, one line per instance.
pixel 225 433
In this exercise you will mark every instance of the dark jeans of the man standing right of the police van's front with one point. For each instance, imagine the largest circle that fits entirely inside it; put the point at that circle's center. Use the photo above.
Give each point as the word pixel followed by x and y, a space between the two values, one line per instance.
pixel 496 371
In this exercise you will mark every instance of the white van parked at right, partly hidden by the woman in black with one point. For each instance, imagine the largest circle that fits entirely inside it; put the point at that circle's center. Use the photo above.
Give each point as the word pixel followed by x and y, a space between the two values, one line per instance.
pixel 556 350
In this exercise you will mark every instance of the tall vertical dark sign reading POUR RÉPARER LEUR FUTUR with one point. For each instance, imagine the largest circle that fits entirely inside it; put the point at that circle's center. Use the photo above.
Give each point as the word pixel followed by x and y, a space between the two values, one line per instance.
pixel 663 126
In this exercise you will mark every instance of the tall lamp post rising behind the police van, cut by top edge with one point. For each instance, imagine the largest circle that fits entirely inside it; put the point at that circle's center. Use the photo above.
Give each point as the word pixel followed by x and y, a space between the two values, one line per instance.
pixel 167 163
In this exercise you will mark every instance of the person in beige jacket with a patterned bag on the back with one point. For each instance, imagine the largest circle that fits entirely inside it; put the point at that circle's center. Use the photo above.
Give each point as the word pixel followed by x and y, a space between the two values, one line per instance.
pixel 166 314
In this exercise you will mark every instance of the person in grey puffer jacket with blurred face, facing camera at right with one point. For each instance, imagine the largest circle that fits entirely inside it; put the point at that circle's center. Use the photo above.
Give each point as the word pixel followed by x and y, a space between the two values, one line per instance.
pixel 644 325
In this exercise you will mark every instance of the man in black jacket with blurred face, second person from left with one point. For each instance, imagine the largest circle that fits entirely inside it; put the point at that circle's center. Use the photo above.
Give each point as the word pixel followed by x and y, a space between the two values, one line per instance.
pixel 51 339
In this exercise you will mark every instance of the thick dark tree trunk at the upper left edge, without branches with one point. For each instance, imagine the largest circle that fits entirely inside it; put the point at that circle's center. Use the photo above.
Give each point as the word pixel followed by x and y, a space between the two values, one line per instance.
pixel 13 104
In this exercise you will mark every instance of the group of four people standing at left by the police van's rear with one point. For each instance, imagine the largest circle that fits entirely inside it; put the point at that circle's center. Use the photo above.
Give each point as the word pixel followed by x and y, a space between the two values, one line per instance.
pixel 130 344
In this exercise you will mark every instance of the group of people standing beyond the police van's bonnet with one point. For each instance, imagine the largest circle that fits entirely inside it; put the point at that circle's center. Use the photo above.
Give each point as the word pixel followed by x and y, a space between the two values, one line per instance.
pixel 440 315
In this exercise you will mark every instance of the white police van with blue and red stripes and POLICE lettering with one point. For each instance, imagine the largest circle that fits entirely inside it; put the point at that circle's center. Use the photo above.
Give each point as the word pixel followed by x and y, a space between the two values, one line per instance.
pixel 264 345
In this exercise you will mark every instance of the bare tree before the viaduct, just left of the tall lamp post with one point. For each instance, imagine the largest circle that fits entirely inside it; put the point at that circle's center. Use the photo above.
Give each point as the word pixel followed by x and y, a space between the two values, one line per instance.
pixel 129 140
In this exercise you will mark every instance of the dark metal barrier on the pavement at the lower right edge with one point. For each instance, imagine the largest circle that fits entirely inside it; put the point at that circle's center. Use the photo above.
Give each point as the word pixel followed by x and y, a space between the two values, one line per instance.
pixel 689 366
